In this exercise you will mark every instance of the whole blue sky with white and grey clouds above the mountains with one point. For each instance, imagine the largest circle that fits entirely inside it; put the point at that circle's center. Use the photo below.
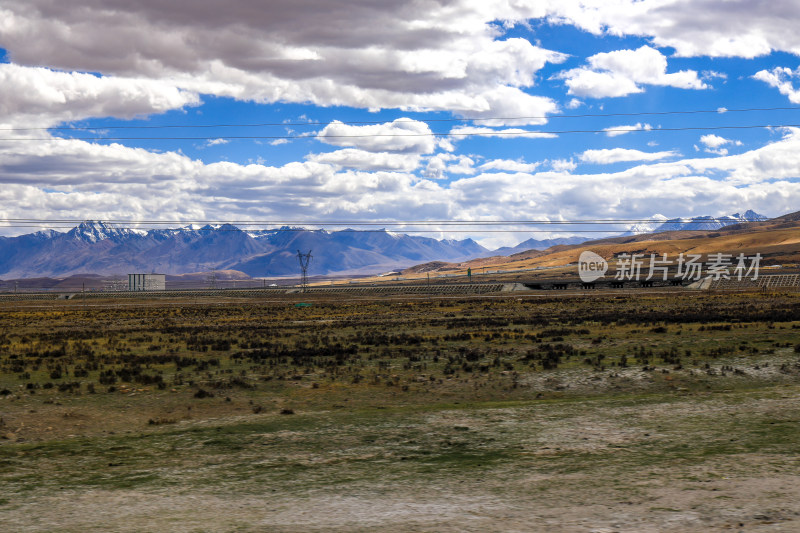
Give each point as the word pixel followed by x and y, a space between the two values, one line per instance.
pixel 369 113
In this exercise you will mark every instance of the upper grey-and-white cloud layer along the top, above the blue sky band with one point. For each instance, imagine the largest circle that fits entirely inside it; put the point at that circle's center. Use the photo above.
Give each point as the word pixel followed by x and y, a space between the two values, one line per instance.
pixel 423 55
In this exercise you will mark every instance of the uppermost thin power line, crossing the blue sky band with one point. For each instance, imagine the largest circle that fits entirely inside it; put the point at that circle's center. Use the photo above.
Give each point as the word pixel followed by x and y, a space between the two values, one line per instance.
pixel 405 119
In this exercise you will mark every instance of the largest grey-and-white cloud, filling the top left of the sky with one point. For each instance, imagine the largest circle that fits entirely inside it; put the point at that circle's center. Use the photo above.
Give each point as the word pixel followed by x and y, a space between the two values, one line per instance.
pixel 425 55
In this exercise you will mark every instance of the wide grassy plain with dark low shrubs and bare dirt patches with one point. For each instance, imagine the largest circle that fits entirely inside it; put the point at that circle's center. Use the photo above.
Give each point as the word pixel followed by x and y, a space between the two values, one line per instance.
pixel 618 412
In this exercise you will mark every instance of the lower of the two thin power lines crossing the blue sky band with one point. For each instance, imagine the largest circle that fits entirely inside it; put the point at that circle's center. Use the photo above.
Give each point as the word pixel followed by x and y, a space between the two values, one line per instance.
pixel 493 133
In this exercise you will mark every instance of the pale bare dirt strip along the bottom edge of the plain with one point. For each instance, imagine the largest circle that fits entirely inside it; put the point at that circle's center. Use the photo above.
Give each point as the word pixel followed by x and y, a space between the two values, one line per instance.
pixel 750 506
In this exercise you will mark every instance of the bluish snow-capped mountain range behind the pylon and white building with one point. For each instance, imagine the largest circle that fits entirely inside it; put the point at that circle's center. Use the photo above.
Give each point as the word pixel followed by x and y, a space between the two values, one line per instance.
pixel 102 248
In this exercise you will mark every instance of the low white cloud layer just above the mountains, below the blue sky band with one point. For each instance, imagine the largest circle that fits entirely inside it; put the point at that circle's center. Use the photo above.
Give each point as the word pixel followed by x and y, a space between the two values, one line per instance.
pixel 51 178
